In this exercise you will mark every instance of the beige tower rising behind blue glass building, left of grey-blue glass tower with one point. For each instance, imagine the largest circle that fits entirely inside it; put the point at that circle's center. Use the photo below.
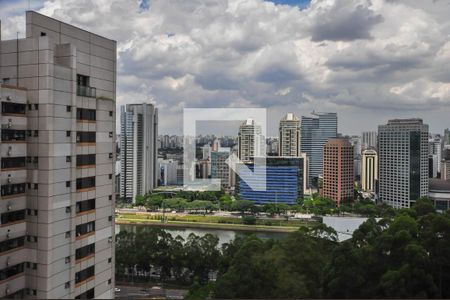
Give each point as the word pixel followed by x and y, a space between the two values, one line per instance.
pixel 289 136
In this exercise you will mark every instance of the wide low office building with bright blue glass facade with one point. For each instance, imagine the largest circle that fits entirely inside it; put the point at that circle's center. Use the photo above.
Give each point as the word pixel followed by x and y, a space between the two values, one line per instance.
pixel 284 181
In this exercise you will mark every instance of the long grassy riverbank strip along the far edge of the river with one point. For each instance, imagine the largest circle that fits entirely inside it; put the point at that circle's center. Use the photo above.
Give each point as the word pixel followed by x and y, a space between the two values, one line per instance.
pixel 130 220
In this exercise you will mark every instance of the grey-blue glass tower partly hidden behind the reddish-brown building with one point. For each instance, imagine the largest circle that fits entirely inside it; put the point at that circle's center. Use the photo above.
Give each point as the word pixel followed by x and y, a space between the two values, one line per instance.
pixel 315 132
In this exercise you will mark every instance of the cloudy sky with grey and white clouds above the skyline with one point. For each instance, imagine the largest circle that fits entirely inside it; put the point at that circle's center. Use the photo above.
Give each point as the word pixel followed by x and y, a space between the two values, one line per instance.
pixel 367 60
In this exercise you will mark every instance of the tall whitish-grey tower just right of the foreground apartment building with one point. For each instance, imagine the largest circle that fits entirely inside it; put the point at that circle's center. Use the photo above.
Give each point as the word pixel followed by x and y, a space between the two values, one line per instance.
pixel 139 132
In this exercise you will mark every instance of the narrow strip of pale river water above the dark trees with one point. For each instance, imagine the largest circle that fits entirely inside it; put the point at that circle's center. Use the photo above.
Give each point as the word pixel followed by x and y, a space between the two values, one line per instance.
pixel 224 236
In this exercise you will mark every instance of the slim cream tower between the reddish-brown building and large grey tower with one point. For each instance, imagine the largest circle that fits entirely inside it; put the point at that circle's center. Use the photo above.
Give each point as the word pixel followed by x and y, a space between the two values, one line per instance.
pixel 369 170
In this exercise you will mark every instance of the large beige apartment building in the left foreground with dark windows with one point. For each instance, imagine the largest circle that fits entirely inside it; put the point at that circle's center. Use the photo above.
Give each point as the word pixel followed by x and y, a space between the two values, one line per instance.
pixel 57 162
